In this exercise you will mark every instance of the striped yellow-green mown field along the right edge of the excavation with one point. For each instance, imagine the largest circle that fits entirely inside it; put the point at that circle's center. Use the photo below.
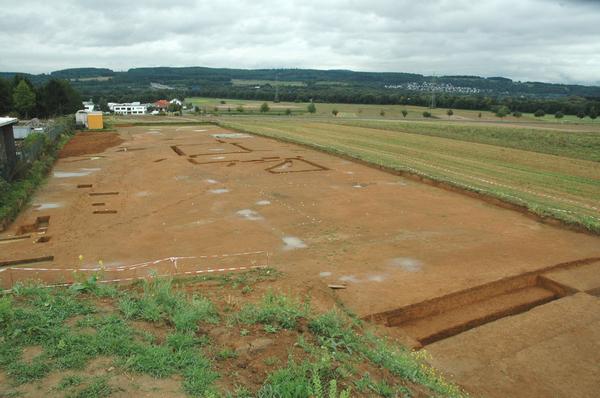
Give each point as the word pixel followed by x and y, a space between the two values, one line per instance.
pixel 561 187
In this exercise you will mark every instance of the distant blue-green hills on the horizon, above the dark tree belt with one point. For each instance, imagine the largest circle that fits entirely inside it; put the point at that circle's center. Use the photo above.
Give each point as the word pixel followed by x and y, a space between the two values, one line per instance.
pixel 91 80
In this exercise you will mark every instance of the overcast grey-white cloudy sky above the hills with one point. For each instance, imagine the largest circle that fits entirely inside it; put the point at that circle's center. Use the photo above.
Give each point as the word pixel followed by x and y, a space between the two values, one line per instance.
pixel 556 41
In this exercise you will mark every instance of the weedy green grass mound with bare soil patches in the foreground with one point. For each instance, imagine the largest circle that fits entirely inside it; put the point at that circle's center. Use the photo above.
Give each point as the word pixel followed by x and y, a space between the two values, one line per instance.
pixel 72 331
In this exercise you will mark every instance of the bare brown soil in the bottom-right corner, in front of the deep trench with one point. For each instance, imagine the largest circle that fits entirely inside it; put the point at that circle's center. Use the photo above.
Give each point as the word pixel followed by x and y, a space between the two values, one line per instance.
pixel 550 351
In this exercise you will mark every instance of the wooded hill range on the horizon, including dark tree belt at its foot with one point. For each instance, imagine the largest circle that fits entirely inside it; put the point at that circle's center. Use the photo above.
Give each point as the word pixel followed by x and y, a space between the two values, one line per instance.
pixel 343 86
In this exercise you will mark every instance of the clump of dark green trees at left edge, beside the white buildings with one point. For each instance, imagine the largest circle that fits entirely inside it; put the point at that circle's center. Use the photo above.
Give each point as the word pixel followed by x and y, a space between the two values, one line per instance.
pixel 20 97
